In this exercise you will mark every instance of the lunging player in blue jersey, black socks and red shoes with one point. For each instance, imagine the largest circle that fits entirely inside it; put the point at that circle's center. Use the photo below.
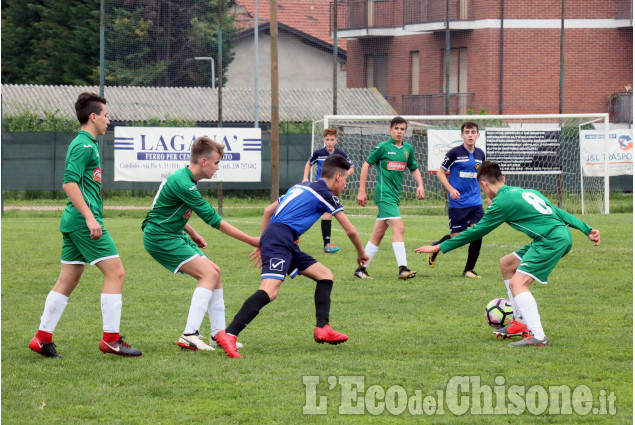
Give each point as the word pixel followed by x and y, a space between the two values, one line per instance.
pixel 283 223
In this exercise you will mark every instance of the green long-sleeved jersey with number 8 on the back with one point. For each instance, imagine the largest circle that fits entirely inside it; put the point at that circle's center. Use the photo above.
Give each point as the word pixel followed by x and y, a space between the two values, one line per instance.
pixel 523 209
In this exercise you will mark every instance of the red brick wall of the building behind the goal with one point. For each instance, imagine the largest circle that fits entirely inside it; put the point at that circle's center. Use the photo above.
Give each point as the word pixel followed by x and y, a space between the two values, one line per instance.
pixel 597 61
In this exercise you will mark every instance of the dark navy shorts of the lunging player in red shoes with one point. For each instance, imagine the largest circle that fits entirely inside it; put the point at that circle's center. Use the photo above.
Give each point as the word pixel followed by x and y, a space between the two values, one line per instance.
pixel 280 254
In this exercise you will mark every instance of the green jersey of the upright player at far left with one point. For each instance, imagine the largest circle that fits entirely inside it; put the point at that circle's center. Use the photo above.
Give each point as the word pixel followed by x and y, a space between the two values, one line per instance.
pixel 82 166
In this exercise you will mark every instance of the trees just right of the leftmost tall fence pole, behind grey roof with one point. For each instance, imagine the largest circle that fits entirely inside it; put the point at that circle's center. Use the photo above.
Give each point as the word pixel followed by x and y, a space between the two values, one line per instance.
pixel 153 43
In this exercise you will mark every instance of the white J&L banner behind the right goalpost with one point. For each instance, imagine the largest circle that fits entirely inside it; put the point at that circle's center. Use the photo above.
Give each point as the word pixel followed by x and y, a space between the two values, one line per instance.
pixel 620 152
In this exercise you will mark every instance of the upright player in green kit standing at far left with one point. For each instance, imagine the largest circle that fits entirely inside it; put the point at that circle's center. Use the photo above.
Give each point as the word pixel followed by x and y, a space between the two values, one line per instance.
pixel 85 239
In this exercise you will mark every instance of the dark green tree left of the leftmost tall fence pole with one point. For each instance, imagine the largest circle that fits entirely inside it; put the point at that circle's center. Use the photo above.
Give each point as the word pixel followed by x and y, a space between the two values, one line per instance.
pixel 50 42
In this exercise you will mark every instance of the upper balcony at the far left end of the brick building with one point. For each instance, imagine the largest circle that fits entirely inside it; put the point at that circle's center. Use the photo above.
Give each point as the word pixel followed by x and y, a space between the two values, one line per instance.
pixel 365 14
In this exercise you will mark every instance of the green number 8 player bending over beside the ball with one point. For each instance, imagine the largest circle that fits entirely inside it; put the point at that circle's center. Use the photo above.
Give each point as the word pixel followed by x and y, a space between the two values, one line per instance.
pixel 530 212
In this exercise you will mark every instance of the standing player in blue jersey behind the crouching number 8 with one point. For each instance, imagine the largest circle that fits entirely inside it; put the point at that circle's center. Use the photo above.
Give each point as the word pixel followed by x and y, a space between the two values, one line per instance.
pixel 465 204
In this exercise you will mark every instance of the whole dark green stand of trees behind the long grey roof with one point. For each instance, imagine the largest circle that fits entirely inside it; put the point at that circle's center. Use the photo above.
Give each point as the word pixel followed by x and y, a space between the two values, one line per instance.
pixel 148 42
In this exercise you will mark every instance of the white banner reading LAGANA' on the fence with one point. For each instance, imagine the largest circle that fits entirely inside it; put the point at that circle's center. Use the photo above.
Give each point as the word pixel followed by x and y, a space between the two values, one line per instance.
pixel 150 154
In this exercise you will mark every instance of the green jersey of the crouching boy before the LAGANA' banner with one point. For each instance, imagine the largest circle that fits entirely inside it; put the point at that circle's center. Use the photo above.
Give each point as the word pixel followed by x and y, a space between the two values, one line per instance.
pixel 173 204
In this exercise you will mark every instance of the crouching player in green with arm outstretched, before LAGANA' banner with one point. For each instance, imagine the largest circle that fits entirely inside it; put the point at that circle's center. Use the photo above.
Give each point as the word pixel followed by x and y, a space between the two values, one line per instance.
pixel 171 241
